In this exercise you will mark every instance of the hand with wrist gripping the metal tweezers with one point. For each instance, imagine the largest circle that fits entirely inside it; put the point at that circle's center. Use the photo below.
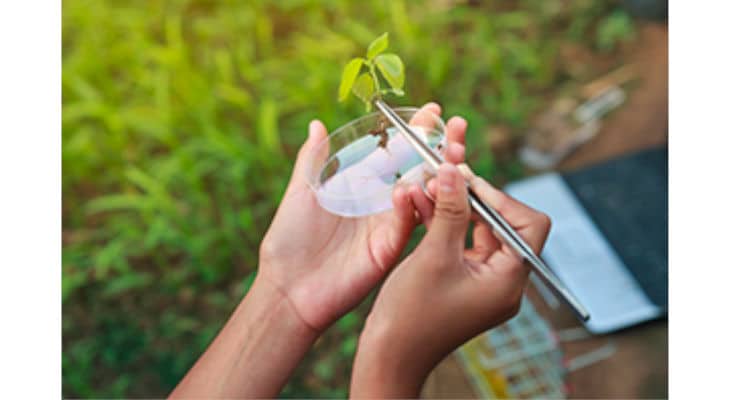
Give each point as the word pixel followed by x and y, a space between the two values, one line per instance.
pixel 443 294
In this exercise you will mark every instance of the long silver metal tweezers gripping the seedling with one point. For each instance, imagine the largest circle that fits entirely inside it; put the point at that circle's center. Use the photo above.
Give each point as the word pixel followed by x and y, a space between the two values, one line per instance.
pixel 488 214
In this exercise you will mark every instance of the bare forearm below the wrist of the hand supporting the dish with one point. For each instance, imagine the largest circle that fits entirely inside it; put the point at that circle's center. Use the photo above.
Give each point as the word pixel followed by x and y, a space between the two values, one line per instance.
pixel 255 352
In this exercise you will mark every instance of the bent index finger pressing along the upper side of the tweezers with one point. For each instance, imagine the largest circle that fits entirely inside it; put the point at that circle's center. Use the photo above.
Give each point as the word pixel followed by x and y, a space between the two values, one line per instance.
pixel 532 225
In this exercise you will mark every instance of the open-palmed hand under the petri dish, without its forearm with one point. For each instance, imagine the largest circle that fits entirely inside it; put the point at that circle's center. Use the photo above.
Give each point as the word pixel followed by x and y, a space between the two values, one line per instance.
pixel 325 264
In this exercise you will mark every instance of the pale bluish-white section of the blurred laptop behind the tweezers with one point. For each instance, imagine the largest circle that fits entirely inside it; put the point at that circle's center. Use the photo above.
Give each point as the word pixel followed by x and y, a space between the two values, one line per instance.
pixel 582 257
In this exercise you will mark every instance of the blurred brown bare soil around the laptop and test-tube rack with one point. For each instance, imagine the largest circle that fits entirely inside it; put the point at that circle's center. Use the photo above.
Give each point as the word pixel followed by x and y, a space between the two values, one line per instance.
pixel 639 368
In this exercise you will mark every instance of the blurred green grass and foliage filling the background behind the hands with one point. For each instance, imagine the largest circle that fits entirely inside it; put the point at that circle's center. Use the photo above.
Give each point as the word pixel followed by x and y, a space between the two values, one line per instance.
pixel 181 120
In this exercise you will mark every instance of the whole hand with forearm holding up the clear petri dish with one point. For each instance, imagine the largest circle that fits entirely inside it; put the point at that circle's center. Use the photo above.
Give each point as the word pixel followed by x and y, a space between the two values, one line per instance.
pixel 314 267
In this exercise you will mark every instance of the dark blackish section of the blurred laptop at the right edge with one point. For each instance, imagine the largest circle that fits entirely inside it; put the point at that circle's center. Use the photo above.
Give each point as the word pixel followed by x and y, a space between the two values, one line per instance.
pixel 627 199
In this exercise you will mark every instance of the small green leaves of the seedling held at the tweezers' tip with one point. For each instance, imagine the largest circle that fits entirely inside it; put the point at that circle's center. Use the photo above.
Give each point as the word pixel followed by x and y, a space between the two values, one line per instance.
pixel 367 84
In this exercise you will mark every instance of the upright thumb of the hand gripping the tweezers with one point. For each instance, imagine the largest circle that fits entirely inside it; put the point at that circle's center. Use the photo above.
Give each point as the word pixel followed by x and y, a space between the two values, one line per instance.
pixel 452 212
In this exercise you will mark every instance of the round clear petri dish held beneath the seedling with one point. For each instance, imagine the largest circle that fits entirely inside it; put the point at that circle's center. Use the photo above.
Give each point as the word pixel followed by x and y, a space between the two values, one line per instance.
pixel 356 167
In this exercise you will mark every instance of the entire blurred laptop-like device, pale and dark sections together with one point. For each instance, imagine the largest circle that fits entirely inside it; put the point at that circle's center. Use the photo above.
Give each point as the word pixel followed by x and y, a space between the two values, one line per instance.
pixel 608 243
